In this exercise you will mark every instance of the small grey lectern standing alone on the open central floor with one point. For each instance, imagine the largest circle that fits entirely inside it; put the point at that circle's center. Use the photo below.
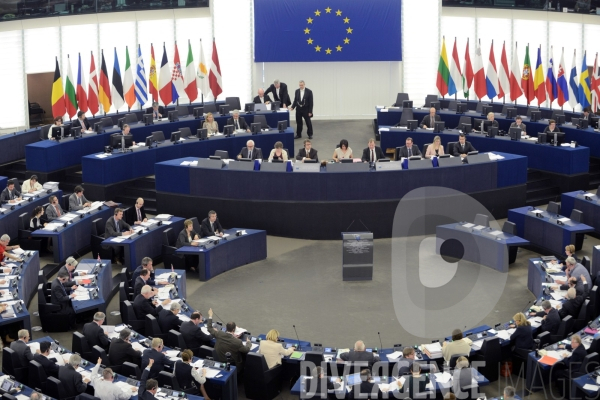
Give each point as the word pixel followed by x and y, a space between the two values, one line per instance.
pixel 357 256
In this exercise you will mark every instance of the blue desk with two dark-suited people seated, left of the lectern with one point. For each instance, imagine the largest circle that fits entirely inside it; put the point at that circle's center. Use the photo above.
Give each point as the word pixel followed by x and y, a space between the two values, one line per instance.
pixel 229 254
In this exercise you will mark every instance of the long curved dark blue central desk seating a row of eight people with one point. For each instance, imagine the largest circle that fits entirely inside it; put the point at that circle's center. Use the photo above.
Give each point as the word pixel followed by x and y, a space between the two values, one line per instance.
pixel 320 205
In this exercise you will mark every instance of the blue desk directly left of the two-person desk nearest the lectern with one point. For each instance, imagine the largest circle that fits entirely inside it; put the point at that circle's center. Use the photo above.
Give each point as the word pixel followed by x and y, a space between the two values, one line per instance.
pixel 149 244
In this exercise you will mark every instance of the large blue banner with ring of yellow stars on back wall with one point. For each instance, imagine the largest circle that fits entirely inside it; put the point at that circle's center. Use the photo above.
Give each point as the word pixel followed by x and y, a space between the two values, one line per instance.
pixel 327 30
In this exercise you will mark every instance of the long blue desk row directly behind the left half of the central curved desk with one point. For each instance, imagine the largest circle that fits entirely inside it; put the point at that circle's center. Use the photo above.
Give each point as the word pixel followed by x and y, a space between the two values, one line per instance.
pixel 121 167
